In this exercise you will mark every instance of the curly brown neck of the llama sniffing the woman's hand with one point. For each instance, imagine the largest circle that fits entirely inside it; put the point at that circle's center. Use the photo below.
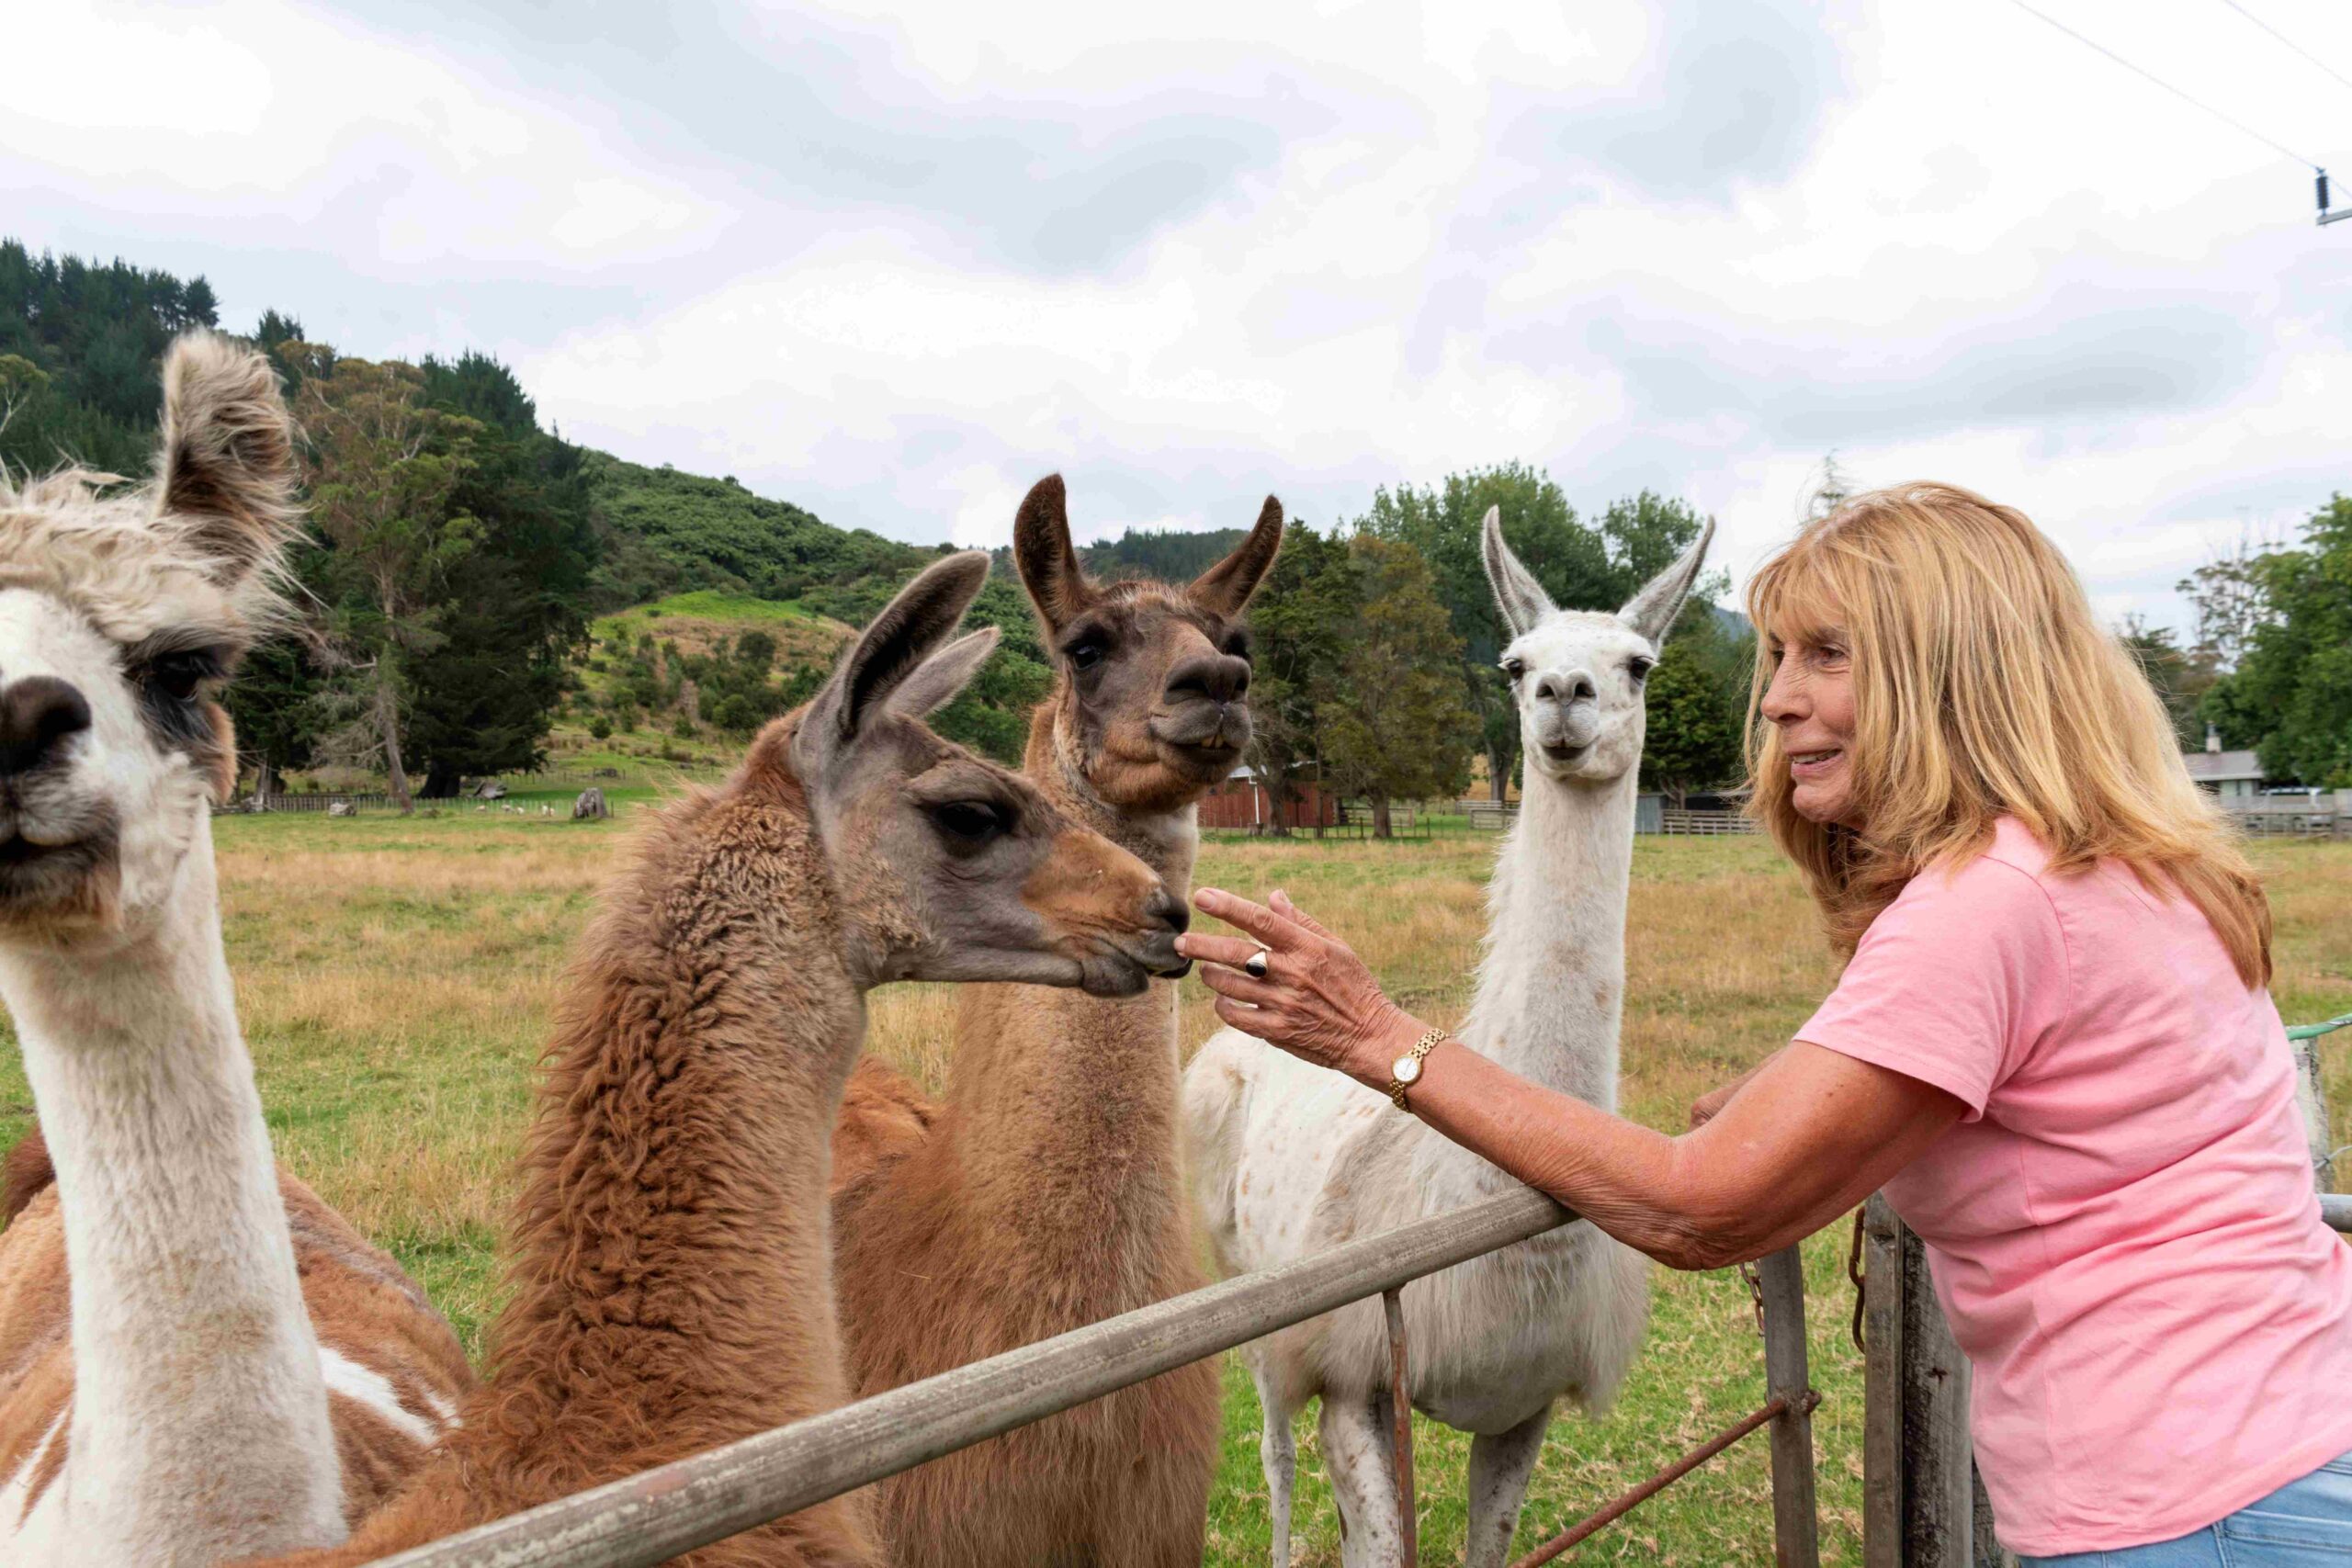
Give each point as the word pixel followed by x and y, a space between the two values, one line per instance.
pixel 674 1205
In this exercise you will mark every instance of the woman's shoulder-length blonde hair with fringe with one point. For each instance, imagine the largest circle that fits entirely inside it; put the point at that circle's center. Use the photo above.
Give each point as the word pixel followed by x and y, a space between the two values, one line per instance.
pixel 1984 688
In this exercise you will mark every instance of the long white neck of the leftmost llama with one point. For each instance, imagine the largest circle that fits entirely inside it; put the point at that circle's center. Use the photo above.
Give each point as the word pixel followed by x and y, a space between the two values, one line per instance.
pixel 196 1381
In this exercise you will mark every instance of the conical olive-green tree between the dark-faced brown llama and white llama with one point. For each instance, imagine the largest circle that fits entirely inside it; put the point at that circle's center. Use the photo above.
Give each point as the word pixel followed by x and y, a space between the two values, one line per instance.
pixel 1398 723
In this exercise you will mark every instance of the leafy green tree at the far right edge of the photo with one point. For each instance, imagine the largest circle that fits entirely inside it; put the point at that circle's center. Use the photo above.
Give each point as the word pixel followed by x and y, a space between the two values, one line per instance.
pixel 2294 678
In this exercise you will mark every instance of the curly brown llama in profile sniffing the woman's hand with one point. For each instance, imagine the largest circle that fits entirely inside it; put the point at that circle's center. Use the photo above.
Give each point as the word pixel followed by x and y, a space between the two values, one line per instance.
pixel 671 1252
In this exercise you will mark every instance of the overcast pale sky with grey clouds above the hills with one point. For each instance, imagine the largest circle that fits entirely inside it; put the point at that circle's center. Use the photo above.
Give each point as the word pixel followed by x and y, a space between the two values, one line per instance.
pixel 895 267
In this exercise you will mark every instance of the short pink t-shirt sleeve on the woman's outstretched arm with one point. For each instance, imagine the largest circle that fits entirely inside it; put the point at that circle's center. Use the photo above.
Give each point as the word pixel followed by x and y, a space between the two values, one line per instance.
pixel 1953 984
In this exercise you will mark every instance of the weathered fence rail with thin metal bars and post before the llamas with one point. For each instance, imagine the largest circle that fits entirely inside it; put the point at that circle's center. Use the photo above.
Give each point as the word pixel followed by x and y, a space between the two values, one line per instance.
pixel 693 1503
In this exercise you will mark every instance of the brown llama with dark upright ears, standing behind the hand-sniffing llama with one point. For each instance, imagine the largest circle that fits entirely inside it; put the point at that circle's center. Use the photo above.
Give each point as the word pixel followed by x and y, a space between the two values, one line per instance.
pixel 1045 1193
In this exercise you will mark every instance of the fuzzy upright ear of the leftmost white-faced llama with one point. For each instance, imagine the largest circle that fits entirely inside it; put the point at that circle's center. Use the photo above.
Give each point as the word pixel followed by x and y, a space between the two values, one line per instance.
pixel 227 455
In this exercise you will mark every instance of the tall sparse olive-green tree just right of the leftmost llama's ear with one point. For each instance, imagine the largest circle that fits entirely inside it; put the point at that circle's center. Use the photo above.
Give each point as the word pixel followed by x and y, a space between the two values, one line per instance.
pixel 385 469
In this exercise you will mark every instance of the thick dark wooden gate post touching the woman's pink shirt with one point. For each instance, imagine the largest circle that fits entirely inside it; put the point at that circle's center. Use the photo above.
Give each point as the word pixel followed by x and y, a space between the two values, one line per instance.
pixel 1923 1506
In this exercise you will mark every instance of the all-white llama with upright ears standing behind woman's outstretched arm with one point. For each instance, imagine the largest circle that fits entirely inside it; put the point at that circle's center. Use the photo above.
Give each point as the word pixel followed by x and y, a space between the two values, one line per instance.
pixel 1290 1160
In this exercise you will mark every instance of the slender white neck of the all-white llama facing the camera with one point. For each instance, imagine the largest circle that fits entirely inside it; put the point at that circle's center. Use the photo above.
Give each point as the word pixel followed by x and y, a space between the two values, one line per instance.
pixel 1551 986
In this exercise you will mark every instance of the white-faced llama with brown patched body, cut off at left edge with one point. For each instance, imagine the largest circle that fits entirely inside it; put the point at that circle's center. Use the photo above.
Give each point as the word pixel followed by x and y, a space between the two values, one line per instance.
pixel 199 1358
